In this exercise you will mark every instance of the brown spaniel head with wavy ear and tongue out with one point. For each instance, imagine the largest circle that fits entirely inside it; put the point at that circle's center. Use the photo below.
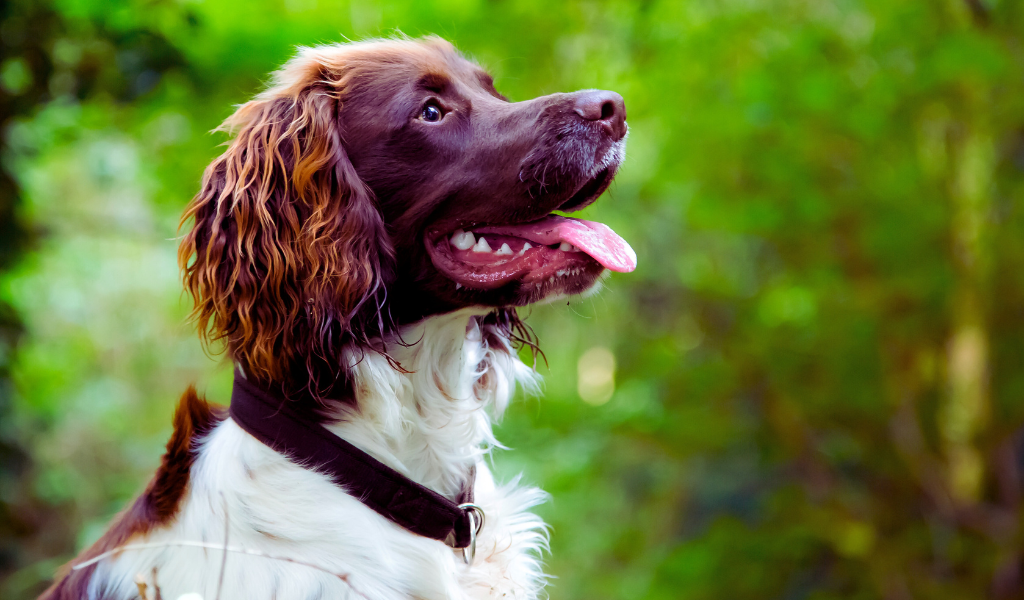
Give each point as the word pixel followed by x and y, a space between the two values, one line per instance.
pixel 376 184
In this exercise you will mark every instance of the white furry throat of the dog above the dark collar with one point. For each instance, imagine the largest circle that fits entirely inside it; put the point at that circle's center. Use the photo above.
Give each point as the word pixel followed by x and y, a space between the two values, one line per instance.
pixel 434 422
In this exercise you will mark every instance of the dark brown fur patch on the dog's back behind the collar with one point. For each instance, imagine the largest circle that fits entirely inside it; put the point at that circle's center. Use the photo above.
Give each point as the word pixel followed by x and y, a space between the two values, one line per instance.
pixel 158 505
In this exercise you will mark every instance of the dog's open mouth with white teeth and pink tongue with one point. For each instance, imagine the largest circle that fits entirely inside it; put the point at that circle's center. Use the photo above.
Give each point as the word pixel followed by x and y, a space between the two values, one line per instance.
pixel 549 250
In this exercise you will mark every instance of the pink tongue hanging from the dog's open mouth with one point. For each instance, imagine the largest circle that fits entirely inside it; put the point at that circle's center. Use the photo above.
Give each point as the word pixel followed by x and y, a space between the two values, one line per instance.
pixel 598 240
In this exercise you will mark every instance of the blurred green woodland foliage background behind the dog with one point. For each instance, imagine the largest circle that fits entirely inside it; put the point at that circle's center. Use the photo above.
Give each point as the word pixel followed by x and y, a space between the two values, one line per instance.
pixel 810 389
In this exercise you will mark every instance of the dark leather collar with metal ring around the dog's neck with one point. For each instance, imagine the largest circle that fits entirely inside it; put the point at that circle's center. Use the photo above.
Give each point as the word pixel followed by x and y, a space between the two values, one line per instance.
pixel 272 420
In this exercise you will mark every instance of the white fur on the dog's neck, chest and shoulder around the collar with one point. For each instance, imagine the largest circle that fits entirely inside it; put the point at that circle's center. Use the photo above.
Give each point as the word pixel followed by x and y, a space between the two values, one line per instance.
pixel 431 424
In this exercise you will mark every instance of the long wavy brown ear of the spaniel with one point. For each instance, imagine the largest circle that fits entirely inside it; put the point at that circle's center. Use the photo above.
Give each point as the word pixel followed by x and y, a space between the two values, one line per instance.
pixel 286 244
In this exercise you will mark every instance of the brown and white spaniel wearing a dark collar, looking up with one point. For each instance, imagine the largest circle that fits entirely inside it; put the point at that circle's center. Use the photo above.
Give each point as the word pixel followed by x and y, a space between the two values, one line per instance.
pixel 360 250
